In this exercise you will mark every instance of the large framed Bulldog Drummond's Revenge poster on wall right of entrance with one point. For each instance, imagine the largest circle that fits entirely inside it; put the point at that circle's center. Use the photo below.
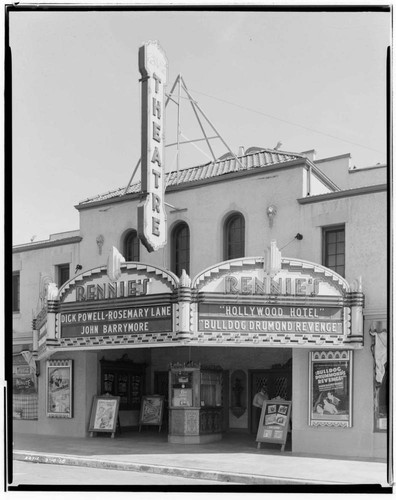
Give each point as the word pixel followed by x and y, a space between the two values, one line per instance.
pixel 330 388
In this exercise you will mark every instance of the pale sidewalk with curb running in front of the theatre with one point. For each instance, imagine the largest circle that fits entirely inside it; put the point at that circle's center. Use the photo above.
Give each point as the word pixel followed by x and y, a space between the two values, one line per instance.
pixel 234 459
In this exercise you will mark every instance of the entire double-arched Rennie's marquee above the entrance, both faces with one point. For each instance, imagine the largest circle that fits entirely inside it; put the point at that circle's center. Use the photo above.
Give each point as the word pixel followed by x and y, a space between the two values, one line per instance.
pixel 247 301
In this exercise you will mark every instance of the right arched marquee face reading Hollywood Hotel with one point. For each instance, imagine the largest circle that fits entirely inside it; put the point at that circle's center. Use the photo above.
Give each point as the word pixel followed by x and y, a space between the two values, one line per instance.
pixel 272 300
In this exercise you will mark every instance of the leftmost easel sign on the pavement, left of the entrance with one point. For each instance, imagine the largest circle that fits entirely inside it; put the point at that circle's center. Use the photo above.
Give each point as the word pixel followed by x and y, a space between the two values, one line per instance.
pixel 104 414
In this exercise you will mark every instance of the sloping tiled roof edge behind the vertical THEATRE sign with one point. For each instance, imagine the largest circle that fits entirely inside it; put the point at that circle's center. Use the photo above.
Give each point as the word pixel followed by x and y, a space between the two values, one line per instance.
pixel 222 166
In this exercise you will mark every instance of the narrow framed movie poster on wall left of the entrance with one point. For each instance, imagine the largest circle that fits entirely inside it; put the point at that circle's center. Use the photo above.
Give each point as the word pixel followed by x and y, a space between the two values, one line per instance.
pixel 59 388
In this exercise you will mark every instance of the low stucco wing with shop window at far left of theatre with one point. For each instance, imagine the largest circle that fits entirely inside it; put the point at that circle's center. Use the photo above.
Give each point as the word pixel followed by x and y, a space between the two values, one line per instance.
pixel 34 266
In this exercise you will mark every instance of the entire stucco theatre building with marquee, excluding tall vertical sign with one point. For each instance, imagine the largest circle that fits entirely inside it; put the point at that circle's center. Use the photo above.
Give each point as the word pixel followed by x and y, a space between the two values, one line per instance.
pixel 274 275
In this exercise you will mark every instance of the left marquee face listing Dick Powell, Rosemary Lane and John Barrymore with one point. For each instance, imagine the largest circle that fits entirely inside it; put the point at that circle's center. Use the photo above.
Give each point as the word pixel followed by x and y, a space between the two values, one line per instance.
pixel 138 307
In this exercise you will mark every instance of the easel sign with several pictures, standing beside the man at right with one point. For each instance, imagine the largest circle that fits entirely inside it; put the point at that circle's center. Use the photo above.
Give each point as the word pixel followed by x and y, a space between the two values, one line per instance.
pixel 274 423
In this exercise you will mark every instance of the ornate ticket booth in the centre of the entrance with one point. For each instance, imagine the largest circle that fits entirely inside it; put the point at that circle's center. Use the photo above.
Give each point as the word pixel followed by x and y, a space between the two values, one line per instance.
pixel 196 403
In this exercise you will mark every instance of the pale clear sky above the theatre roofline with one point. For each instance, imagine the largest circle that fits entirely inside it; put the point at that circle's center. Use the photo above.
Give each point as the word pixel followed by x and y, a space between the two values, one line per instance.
pixel 310 80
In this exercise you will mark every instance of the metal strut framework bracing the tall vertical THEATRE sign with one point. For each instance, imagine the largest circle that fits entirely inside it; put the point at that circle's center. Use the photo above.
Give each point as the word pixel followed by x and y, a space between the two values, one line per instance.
pixel 176 98
